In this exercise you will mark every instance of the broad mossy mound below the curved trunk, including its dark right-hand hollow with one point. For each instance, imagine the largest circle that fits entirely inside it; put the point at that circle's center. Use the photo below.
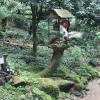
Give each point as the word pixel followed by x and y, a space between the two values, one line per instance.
pixel 53 87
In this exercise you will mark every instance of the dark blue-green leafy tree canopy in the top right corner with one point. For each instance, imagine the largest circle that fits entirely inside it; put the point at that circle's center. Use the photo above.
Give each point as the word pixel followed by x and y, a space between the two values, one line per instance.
pixel 85 9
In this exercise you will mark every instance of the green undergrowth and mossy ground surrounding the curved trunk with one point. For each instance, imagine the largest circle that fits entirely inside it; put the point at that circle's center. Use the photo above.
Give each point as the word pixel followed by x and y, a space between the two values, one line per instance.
pixel 69 80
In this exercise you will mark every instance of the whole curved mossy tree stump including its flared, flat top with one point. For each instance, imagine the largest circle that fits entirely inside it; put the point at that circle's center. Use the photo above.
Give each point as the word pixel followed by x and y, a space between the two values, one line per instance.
pixel 58 48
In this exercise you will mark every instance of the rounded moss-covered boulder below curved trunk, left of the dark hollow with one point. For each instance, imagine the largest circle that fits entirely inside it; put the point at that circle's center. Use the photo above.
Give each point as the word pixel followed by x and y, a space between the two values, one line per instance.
pixel 47 85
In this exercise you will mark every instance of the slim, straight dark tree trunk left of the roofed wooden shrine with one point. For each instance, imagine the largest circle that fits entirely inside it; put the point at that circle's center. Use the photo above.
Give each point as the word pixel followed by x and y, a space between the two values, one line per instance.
pixel 34 28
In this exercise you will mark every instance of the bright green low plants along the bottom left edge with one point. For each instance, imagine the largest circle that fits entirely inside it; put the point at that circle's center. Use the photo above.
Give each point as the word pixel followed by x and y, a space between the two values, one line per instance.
pixel 11 93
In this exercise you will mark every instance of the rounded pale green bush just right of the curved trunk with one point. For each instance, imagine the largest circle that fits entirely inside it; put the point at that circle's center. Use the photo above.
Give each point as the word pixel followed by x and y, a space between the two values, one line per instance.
pixel 73 57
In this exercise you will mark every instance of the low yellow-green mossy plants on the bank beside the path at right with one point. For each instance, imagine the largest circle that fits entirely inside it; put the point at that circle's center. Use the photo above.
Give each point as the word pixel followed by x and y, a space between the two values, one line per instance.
pixel 82 75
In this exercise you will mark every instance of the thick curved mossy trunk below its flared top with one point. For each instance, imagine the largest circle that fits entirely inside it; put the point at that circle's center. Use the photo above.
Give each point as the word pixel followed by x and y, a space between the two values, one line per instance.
pixel 55 61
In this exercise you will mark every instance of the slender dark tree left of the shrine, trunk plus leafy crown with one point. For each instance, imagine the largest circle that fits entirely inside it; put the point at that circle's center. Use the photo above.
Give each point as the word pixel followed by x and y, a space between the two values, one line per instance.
pixel 38 9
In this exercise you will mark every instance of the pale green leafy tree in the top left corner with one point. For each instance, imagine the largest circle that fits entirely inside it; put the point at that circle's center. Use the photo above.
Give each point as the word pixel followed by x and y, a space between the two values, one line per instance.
pixel 8 9
